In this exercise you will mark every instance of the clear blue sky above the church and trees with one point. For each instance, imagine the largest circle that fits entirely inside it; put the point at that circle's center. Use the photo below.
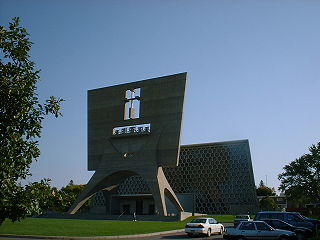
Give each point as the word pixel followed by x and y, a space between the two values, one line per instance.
pixel 253 71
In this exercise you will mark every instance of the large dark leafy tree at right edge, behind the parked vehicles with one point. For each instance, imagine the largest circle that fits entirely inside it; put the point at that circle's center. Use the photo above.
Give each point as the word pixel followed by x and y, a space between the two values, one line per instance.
pixel 301 177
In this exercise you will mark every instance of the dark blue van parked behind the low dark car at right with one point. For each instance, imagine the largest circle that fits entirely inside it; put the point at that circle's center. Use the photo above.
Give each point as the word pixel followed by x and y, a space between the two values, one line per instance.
pixel 292 218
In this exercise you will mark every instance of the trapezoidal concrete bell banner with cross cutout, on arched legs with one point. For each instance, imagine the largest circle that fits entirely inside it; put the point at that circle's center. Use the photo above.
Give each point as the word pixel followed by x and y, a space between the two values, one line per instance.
pixel 134 129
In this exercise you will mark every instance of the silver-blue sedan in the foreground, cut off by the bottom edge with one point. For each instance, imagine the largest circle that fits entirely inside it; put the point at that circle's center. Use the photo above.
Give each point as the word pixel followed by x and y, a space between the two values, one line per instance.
pixel 257 230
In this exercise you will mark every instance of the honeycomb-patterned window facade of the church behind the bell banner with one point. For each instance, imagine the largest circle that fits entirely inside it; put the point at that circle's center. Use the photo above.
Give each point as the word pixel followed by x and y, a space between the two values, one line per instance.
pixel 217 177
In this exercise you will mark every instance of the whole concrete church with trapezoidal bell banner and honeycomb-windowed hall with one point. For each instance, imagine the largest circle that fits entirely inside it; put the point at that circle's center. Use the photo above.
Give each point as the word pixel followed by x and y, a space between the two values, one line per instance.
pixel 140 167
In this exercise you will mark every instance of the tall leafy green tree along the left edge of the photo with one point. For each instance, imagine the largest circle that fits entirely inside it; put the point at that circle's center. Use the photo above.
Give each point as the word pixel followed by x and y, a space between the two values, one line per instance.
pixel 21 116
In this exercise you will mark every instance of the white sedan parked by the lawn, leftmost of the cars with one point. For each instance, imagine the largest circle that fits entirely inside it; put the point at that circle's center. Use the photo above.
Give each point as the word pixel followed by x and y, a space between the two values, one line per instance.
pixel 205 226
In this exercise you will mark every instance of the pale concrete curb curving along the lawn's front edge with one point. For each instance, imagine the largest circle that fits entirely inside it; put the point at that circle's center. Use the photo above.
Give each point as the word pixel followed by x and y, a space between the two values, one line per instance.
pixel 97 237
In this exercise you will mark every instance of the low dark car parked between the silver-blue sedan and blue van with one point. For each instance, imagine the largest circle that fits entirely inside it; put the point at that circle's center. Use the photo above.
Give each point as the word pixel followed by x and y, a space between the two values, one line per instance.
pixel 301 232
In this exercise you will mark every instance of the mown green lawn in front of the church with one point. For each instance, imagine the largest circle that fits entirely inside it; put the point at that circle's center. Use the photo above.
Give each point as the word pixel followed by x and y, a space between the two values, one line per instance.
pixel 76 227
